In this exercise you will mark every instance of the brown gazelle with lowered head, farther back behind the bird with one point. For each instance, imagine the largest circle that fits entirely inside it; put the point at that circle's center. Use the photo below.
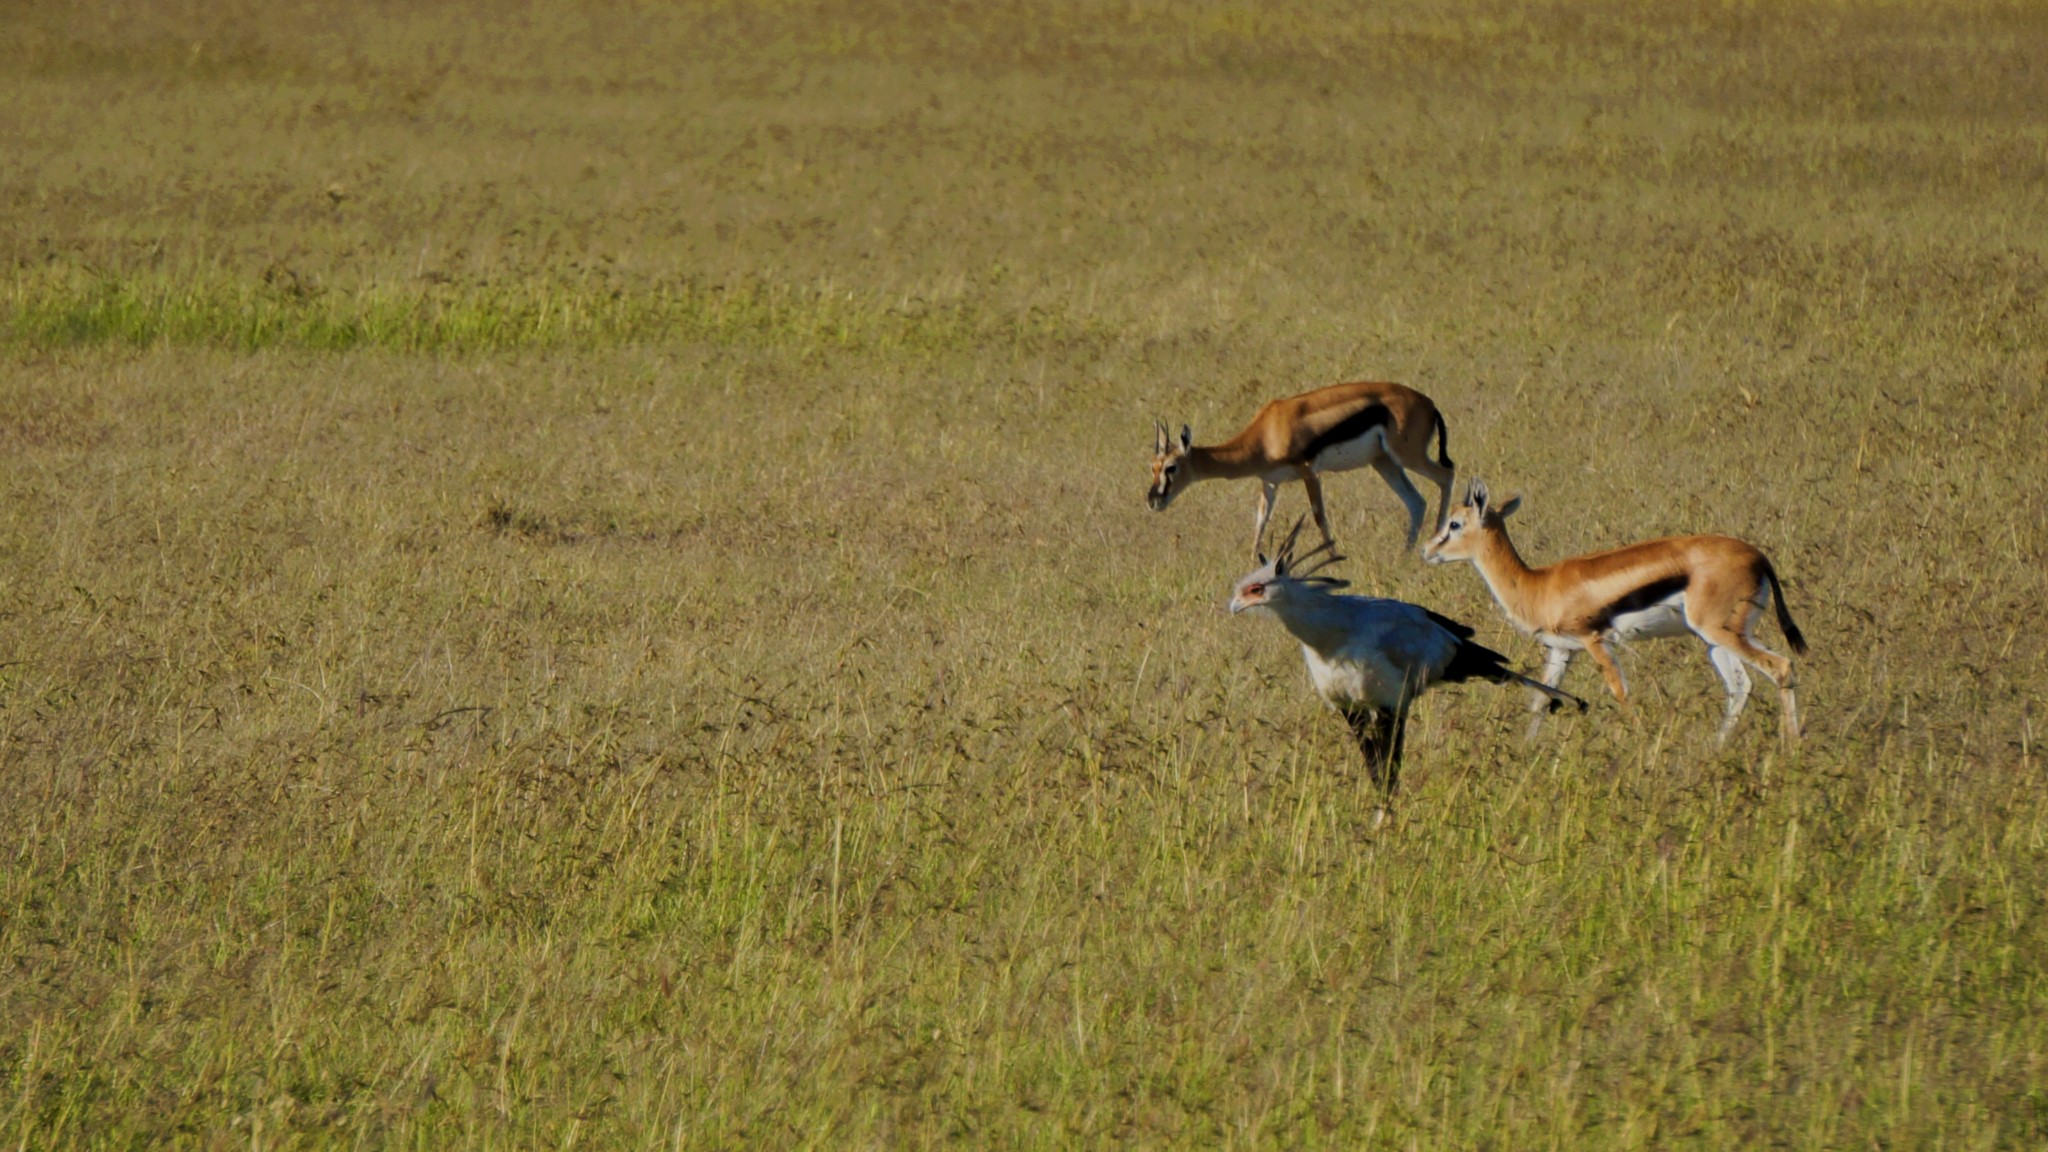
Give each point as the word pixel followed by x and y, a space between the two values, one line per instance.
pixel 1330 429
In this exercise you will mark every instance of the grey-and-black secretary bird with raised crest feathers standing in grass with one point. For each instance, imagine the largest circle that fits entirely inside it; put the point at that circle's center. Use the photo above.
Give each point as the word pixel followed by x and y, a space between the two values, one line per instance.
pixel 1371 659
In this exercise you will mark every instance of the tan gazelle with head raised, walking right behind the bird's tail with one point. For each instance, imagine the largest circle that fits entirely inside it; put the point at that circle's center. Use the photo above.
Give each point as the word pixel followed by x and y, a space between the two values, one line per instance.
pixel 1709 585
